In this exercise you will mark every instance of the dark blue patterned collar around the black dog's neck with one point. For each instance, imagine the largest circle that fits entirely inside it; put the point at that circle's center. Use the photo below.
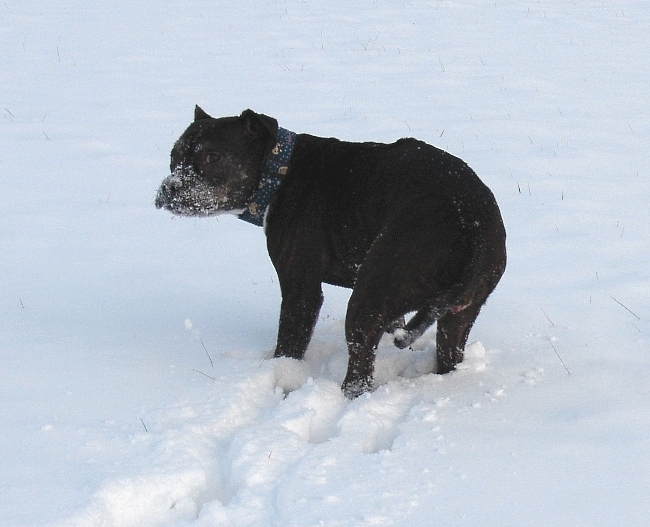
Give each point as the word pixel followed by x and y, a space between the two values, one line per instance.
pixel 274 169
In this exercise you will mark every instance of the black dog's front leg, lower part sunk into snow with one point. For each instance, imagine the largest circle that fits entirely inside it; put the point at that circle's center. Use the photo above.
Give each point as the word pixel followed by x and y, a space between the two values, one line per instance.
pixel 298 316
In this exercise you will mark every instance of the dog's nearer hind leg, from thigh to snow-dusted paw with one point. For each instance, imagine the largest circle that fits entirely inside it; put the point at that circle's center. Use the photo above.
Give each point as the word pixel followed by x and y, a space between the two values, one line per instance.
pixel 390 283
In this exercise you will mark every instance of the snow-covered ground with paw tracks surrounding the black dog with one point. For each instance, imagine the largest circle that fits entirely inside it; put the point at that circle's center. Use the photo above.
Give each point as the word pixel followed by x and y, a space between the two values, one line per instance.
pixel 134 387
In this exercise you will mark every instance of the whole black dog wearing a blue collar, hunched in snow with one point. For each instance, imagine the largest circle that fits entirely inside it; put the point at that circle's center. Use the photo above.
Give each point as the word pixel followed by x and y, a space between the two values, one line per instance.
pixel 408 227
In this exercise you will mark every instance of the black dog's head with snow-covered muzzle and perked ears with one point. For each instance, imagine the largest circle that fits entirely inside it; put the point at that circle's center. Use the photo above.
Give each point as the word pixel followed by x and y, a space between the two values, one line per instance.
pixel 216 164
